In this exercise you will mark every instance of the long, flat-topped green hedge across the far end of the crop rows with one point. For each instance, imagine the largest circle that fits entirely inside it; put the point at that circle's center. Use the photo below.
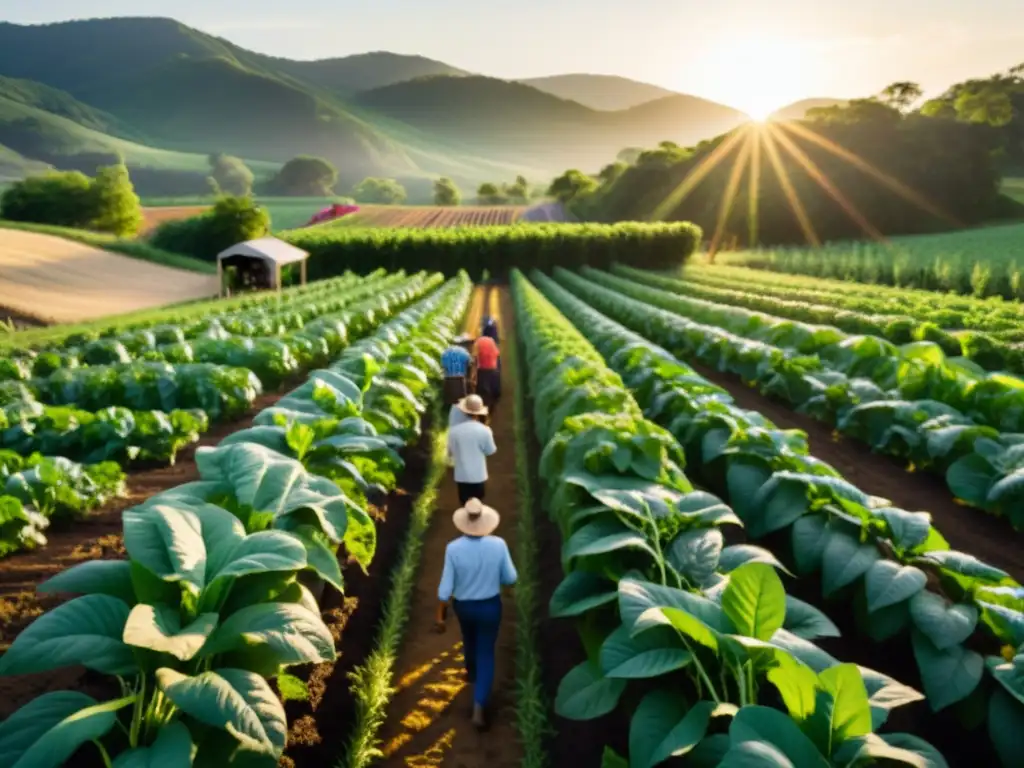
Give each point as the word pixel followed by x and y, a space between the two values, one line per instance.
pixel 497 249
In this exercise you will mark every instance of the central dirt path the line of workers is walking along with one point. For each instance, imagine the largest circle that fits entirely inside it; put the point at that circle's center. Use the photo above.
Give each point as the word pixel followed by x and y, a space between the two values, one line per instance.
pixel 429 722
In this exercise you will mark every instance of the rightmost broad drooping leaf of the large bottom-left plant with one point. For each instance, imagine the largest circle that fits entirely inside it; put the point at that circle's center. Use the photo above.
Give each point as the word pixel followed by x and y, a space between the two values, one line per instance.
pixel 295 635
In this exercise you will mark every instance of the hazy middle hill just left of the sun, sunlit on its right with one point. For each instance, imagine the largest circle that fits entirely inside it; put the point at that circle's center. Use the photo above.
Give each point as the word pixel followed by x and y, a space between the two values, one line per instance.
pixel 519 123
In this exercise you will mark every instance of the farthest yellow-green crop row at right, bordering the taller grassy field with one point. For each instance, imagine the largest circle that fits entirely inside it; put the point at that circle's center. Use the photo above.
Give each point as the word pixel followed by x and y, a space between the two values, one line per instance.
pixel 995 317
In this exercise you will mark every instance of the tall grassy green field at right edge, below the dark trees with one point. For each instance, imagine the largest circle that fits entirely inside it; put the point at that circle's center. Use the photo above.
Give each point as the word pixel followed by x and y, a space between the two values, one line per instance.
pixel 972 263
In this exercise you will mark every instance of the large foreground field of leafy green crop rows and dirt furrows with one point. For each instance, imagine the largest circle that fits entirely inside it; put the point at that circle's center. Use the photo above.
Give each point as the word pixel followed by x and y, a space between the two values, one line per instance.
pixel 722 562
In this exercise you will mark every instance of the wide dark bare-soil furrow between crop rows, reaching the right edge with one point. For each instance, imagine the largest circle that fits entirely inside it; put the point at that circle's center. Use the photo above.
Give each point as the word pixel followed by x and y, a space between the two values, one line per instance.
pixel 970 531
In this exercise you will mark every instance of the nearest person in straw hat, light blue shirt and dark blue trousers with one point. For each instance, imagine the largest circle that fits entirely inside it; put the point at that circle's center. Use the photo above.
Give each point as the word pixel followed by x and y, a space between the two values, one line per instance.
pixel 477 567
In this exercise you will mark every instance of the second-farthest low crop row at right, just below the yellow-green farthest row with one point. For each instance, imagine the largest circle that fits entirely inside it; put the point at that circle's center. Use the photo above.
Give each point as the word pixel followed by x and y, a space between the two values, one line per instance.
pixel 984 350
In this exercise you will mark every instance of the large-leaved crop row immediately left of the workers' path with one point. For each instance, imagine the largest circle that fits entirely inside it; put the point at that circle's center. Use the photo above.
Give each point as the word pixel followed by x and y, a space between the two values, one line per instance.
pixel 216 599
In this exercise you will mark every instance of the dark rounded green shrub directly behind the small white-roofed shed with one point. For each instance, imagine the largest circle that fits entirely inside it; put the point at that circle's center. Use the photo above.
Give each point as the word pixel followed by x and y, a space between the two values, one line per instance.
pixel 231 221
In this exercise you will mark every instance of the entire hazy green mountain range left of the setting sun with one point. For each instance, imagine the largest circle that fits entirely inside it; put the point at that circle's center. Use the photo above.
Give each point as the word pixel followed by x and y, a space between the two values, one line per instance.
pixel 127 86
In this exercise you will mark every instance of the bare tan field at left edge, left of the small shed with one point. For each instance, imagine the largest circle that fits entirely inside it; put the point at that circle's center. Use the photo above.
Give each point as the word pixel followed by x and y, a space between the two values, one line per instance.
pixel 59 281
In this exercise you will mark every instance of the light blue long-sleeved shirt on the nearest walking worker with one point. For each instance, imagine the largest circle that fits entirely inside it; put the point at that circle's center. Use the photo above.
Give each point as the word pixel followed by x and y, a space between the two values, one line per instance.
pixel 476 569
